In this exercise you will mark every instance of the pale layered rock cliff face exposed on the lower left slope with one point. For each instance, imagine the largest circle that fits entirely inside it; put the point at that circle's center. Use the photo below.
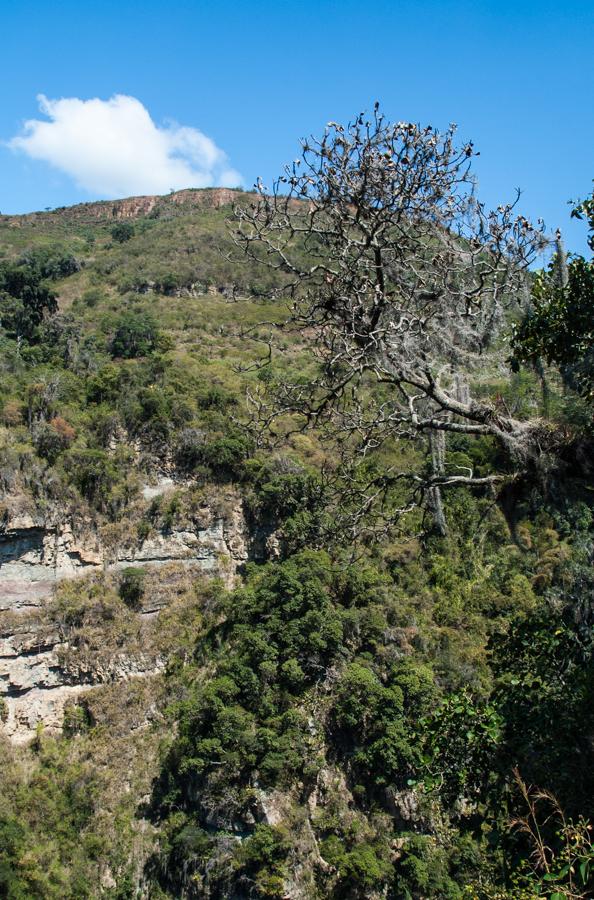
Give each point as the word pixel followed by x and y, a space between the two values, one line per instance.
pixel 41 671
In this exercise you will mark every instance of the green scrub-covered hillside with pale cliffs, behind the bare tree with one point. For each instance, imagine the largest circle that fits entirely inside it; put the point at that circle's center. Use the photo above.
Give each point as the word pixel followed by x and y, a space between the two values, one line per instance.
pixel 207 690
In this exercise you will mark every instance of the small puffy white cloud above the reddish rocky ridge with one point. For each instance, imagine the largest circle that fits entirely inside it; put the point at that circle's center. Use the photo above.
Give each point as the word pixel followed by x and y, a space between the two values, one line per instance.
pixel 112 148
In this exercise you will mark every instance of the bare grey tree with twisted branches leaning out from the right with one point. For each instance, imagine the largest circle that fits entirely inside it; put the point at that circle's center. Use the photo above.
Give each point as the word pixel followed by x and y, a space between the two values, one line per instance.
pixel 398 276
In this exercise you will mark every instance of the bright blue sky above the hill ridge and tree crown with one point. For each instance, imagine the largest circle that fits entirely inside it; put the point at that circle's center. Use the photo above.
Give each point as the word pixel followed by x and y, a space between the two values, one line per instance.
pixel 234 86
